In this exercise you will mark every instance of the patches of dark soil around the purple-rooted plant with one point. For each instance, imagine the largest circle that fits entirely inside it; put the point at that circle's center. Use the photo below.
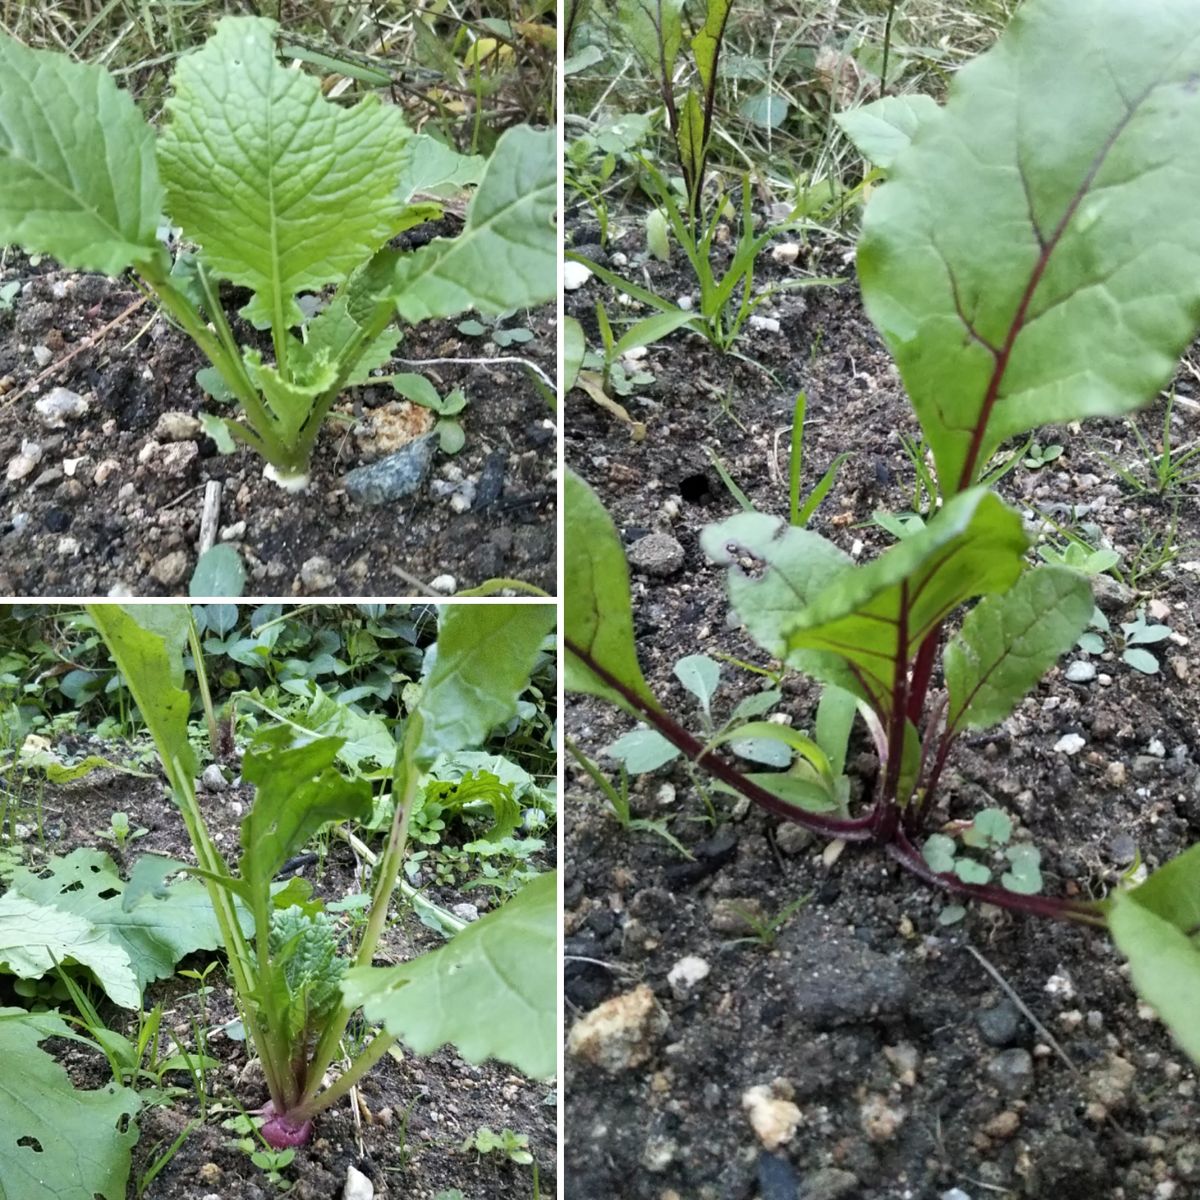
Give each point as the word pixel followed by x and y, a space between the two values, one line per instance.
pixel 446 1099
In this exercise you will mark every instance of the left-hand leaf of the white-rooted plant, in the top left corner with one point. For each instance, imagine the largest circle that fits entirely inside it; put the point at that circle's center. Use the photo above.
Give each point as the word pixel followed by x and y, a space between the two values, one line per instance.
pixel 77 169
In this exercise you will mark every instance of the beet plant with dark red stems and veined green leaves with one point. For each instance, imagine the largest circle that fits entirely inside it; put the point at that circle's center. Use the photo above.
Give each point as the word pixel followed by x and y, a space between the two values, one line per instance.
pixel 1033 257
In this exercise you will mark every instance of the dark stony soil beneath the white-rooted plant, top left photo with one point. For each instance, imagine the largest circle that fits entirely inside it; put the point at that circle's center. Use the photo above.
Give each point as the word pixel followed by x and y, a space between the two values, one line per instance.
pixel 109 511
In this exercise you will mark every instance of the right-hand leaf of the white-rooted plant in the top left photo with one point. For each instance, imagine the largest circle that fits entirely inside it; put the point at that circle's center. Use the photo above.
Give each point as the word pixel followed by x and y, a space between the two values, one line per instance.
pixel 507 255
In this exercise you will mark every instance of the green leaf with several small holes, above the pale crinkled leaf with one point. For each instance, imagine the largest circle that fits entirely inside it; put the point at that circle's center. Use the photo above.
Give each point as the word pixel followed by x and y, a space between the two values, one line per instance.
pixel 159 928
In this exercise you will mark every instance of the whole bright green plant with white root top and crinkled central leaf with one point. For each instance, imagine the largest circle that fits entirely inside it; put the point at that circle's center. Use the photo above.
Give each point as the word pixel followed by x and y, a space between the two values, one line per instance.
pixel 285 194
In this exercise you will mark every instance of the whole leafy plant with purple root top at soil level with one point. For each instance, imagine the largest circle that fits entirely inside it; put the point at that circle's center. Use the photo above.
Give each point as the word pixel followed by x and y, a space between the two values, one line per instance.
pixel 295 988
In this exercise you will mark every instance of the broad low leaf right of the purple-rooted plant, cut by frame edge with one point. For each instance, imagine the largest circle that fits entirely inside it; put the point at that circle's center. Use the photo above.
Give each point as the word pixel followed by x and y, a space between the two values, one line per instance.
pixel 490 992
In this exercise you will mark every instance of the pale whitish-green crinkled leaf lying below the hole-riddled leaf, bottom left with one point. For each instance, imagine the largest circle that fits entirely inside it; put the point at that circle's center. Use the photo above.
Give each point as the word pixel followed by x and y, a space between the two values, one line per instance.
pixel 37 937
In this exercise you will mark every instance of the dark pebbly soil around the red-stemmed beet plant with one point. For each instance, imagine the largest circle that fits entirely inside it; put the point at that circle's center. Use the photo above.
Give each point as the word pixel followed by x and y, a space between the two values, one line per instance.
pixel 905 1046
